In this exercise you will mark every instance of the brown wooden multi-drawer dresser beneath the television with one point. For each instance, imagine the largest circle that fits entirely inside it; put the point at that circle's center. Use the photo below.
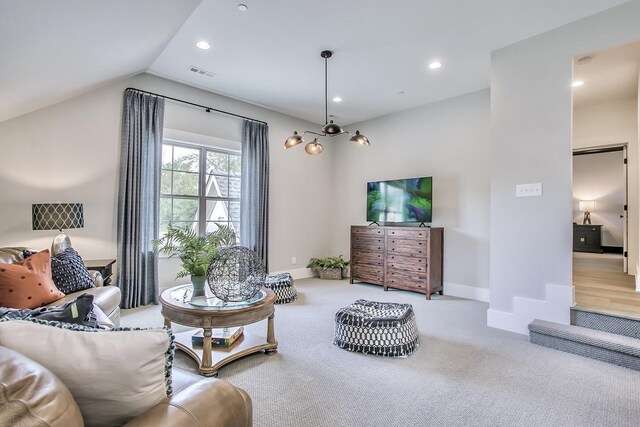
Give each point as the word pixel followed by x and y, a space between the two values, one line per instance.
pixel 408 258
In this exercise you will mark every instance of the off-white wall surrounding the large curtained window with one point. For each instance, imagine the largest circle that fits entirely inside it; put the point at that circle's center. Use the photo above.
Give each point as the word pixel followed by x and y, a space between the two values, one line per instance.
pixel 69 152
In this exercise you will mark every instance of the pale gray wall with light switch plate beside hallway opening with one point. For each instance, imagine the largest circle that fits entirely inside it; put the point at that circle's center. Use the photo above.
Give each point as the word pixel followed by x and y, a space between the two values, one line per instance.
pixel 531 114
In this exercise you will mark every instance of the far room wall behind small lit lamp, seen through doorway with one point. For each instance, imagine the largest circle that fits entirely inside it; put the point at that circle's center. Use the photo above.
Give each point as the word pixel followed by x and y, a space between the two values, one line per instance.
pixel 600 177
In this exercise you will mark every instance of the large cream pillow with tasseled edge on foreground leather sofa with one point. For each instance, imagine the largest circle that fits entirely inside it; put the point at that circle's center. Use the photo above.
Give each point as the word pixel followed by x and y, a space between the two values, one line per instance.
pixel 114 376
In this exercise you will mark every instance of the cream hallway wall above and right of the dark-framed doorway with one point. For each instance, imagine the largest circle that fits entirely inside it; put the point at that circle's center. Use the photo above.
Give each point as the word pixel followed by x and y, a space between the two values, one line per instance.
pixel 612 123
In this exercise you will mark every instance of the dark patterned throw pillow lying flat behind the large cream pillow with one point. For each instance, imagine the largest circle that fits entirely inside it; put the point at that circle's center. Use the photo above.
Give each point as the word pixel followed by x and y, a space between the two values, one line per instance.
pixel 79 311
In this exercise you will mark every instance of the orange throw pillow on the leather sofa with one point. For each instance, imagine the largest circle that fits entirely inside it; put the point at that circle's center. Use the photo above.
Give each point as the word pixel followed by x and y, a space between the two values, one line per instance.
pixel 28 283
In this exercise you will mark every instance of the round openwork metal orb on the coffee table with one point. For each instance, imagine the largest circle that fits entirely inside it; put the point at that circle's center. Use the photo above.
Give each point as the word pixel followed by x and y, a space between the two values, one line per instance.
pixel 236 274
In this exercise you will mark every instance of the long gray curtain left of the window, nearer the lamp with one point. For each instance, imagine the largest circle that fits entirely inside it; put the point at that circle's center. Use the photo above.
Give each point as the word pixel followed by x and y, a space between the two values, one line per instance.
pixel 138 199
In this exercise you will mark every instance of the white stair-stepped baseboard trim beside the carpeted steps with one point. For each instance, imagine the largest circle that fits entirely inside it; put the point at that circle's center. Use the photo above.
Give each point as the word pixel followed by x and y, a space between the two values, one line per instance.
pixel 554 308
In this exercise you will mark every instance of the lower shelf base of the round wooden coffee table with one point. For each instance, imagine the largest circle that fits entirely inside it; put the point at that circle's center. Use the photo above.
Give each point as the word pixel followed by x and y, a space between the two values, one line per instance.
pixel 245 345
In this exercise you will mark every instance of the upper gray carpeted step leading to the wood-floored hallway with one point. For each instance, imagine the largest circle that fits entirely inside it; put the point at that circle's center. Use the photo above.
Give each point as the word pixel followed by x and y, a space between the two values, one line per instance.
pixel 619 324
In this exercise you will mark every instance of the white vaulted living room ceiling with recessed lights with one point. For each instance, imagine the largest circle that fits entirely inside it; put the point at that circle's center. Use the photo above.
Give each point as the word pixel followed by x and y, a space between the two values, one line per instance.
pixel 269 55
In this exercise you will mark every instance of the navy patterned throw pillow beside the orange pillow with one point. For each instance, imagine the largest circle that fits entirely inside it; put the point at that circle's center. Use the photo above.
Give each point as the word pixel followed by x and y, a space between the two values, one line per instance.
pixel 69 273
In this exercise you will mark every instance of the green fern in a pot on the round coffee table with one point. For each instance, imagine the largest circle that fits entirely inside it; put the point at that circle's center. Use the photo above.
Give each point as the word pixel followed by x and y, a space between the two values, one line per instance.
pixel 194 251
